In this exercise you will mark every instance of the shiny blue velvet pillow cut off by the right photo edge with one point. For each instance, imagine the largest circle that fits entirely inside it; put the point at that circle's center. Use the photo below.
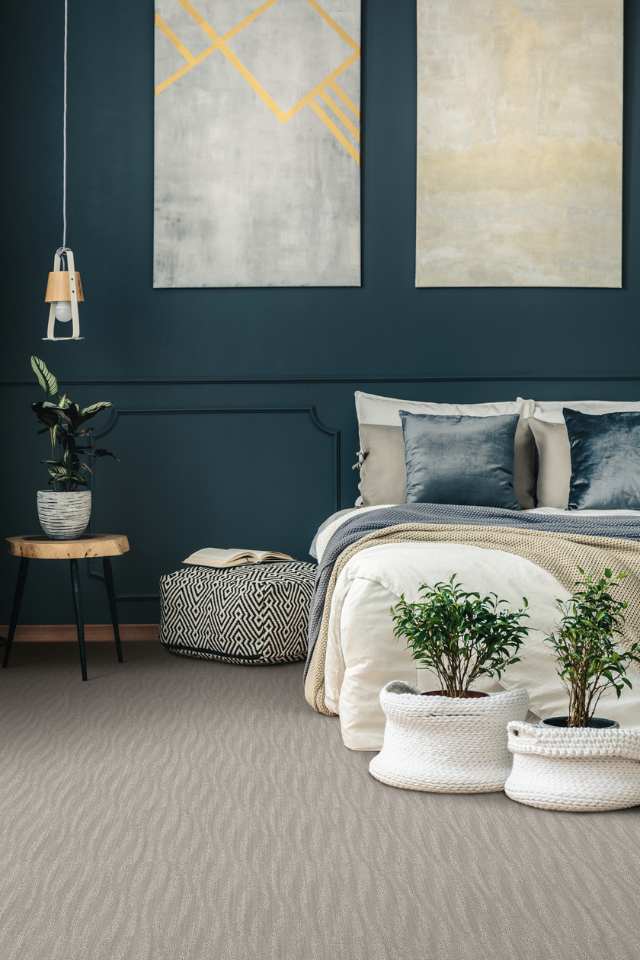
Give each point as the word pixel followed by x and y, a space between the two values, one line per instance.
pixel 605 460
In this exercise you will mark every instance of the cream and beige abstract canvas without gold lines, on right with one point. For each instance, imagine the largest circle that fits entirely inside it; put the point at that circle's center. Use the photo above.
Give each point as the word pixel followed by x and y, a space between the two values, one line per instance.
pixel 519 172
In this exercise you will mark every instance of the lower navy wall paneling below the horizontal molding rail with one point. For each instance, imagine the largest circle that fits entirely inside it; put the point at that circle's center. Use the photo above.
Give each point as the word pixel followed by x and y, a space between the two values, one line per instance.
pixel 303 427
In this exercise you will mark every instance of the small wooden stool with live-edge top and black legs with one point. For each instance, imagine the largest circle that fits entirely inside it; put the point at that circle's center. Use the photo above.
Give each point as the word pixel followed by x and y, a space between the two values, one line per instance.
pixel 40 548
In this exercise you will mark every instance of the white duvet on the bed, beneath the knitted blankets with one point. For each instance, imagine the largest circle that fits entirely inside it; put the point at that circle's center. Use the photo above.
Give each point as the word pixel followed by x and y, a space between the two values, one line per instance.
pixel 363 654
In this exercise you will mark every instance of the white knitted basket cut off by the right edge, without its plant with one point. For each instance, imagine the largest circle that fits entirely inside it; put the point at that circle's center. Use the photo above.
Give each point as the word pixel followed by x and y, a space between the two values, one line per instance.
pixel 580 769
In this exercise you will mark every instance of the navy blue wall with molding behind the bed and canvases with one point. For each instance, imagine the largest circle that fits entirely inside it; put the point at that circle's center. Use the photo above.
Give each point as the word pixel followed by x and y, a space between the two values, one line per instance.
pixel 237 423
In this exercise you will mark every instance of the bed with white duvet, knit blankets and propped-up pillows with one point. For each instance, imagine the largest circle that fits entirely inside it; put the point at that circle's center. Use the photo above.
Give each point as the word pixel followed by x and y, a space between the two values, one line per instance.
pixel 369 555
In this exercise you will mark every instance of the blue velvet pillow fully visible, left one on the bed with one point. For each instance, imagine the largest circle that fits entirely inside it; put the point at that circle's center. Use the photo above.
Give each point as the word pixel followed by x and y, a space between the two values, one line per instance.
pixel 464 460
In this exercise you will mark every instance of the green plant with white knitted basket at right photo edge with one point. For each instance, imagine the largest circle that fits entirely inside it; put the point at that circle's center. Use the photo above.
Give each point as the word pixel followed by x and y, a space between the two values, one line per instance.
pixel 580 761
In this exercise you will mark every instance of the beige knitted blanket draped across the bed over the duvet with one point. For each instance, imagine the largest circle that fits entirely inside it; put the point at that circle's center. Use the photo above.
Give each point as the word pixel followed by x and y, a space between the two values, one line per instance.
pixel 559 554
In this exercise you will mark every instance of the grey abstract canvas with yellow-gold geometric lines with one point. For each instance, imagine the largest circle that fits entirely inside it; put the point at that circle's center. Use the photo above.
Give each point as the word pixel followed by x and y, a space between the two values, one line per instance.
pixel 257 143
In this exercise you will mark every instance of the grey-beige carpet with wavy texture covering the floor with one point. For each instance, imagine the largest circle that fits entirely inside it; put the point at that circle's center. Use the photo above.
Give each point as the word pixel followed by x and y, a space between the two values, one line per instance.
pixel 177 810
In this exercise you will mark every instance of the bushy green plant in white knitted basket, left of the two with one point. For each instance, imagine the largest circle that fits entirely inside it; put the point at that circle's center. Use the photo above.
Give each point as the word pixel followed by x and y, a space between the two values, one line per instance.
pixel 452 740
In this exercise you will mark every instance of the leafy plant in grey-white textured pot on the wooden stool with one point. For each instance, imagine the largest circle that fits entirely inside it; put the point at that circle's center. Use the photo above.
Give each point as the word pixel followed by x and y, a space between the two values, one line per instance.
pixel 64 510
